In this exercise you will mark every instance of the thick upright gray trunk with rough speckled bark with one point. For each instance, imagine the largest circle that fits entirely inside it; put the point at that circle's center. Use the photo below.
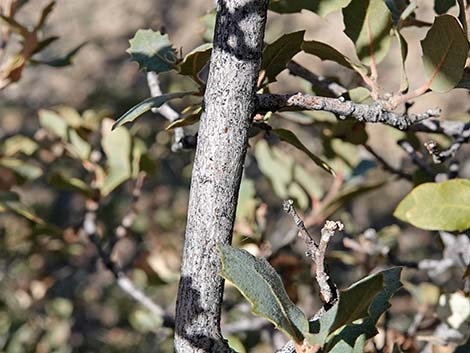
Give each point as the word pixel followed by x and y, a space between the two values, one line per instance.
pixel 229 105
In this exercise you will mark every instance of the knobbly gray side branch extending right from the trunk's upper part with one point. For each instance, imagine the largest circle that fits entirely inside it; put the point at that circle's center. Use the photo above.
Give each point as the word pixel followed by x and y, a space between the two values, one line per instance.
pixel 374 113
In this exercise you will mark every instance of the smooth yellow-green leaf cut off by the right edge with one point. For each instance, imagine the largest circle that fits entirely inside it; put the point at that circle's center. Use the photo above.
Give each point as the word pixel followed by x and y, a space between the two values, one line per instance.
pixel 437 206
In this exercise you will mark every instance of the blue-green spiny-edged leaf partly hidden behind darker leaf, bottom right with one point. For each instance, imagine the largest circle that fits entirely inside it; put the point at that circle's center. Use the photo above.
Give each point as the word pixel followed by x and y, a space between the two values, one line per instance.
pixel 355 335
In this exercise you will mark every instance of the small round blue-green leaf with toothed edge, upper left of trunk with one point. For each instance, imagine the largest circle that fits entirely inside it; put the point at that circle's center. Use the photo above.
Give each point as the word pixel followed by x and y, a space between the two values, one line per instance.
pixel 153 51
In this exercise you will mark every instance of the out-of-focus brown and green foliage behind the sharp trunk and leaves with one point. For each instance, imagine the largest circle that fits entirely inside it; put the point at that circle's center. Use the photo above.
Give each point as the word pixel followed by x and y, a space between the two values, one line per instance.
pixel 58 154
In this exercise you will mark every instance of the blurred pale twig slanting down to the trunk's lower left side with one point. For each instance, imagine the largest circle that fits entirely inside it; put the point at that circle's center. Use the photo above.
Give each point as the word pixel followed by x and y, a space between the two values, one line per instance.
pixel 90 230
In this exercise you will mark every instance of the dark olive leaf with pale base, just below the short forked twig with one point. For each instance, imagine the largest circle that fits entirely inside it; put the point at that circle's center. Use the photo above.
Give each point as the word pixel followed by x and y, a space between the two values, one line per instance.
pixel 353 305
